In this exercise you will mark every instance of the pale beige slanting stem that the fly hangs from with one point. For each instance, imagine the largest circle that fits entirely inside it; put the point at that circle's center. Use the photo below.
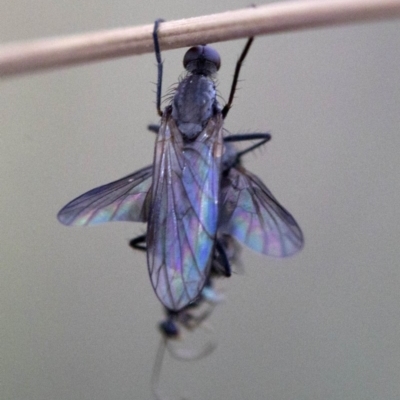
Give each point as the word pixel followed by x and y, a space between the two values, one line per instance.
pixel 26 57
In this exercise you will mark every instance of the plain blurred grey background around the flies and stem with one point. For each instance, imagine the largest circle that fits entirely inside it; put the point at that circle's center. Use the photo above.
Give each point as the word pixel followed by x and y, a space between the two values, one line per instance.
pixel 78 315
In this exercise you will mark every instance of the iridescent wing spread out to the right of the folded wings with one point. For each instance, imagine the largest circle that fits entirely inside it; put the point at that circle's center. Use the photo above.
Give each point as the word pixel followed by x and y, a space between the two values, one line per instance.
pixel 254 217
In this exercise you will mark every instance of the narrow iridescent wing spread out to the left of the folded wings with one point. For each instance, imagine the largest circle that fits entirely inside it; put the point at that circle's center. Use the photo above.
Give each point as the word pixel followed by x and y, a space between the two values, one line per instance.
pixel 126 199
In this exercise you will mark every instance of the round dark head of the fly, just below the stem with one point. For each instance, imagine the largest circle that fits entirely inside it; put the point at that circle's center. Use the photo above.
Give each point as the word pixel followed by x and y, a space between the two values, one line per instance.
pixel 202 60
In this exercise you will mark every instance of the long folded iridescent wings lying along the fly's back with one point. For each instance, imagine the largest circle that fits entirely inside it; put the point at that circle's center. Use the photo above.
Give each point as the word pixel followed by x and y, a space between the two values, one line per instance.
pixel 184 214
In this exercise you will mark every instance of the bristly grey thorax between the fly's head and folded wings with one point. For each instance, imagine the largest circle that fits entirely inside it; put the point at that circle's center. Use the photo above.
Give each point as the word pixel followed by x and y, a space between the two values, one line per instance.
pixel 194 104
